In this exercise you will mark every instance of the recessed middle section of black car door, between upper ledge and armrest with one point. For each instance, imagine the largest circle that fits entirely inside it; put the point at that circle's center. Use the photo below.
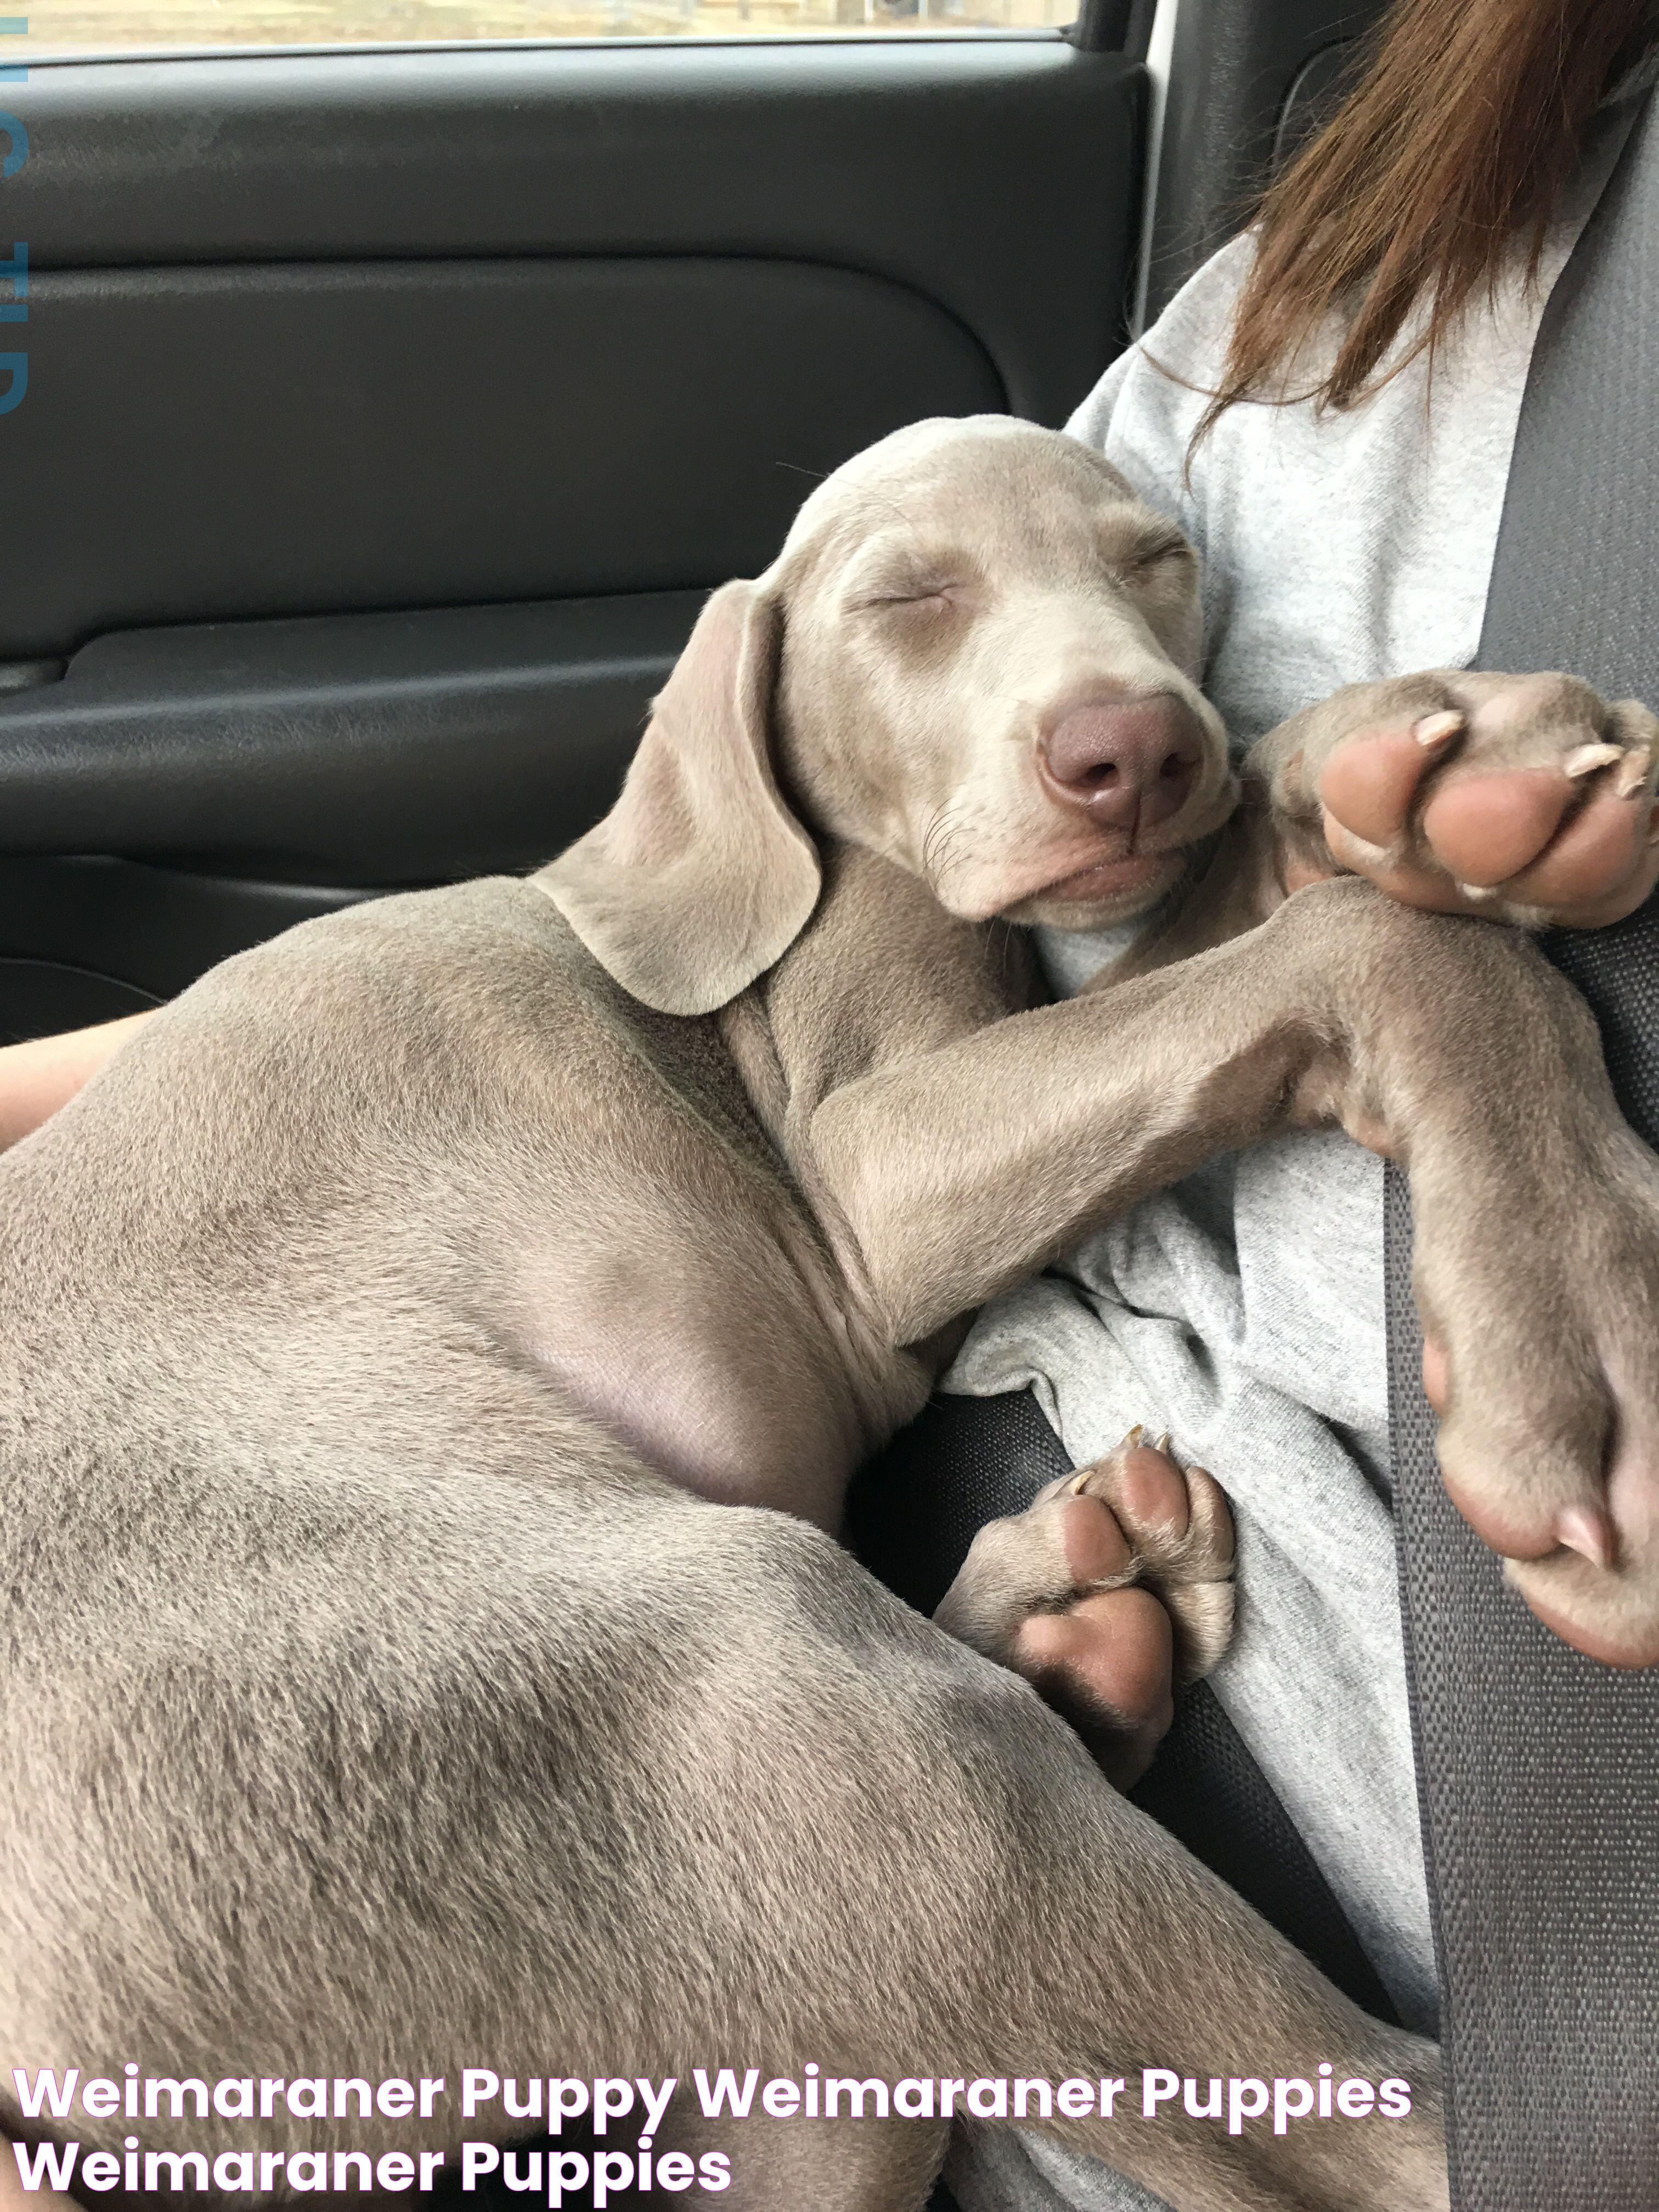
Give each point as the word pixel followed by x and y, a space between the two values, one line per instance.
pixel 298 437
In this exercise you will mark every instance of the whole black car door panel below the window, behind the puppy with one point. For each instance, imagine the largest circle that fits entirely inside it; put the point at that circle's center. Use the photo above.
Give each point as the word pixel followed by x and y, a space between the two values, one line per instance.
pixel 390 415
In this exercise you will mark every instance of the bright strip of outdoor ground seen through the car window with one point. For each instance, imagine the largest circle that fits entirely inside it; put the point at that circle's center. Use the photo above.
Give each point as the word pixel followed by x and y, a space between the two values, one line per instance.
pixel 134 25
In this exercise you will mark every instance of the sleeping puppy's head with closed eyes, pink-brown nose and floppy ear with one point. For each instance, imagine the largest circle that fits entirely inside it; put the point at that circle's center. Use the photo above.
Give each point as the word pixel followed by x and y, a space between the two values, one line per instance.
pixel 974 656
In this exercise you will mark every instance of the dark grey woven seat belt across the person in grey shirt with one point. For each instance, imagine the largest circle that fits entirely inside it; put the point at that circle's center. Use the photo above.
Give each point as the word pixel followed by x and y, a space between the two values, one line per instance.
pixel 1538 1768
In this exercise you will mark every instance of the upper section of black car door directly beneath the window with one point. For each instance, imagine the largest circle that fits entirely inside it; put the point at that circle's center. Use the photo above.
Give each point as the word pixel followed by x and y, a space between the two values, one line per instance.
pixel 994 176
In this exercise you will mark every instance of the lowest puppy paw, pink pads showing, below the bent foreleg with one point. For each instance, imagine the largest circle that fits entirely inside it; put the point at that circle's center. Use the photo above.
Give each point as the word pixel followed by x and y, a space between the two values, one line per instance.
pixel 1105 1594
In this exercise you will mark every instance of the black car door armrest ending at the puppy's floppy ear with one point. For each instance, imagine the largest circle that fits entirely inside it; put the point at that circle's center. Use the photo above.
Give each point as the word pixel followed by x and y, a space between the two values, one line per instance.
pixel 357 751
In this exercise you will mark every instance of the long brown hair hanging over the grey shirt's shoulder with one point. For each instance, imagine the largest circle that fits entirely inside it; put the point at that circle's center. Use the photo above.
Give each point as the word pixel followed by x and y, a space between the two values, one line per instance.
pixel 1454 147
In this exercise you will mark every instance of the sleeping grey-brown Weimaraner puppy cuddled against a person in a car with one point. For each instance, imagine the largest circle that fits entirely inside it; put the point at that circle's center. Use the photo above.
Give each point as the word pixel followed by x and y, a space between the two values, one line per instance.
pixel 432 1357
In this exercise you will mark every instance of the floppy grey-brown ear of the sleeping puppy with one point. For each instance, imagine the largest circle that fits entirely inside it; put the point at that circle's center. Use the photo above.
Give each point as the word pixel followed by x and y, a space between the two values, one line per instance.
pixel 700 877
